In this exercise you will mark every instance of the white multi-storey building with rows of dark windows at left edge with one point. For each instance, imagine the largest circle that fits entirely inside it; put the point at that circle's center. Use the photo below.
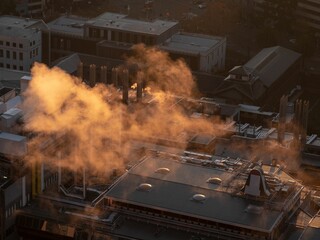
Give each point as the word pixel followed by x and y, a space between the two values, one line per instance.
pixel 20 42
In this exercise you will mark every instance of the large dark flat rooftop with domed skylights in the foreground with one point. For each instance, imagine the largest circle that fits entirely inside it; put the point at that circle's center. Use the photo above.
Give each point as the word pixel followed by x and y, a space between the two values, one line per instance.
pixel 173 191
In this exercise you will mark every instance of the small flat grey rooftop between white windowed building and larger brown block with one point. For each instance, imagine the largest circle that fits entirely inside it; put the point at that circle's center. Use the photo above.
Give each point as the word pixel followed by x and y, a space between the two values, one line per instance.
pixel 71 25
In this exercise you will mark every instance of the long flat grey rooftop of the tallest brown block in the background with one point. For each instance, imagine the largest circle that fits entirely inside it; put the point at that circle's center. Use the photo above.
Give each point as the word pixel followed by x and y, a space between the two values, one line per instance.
pixel 122 22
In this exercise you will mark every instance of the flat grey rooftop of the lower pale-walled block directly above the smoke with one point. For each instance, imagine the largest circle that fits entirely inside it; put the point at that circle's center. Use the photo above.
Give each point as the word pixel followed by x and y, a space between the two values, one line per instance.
pixel 191 43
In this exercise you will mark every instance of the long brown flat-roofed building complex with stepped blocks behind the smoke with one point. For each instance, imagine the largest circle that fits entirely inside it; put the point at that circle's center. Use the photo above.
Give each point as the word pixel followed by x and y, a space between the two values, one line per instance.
pixel 112 35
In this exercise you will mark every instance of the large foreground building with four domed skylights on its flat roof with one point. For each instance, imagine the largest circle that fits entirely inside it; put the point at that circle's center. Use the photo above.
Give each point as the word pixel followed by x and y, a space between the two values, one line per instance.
pixel 157 198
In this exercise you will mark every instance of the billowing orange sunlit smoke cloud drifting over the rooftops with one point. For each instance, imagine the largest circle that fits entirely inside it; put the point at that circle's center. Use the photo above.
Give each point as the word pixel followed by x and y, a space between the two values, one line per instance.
pixel 94 122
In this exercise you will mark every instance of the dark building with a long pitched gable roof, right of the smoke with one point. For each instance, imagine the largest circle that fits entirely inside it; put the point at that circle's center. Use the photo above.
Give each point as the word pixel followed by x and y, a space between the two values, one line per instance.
pixel 263 80
